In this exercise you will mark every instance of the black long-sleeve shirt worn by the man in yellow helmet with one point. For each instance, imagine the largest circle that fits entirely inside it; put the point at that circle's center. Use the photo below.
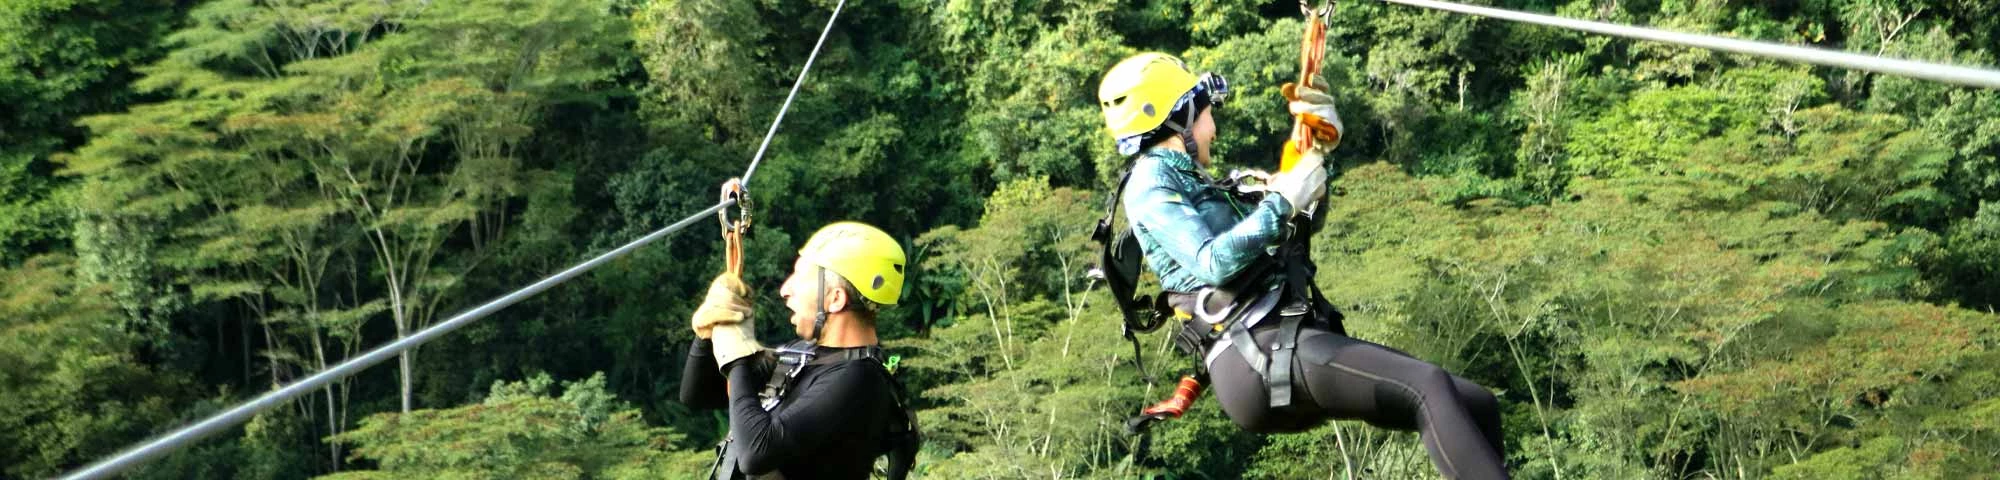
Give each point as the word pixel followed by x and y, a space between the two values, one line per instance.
pixel 831 423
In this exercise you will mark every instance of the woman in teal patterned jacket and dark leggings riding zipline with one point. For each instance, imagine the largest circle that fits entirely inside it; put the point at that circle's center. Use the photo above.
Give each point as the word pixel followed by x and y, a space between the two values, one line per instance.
pixel 1239 279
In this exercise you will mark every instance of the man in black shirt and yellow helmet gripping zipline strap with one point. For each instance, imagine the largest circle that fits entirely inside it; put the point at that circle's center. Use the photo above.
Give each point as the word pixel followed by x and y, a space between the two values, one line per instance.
pixel 823 407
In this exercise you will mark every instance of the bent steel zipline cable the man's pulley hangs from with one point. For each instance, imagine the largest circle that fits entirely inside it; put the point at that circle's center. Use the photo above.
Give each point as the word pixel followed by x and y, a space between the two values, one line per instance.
pixel 243 413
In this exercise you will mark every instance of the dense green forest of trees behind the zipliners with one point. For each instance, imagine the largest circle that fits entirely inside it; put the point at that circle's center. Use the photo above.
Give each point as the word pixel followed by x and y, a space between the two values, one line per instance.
pixel 1667 263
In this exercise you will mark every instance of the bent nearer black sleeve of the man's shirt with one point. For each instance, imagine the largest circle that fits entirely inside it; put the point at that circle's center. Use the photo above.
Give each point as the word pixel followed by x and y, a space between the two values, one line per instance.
pixel 809 419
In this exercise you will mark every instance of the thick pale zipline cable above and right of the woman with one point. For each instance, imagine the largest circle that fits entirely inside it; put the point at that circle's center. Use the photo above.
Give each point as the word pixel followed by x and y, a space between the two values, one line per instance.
pixel 1927 71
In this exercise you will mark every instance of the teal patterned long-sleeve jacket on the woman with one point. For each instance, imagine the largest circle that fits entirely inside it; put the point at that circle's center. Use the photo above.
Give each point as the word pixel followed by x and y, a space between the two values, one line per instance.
pixel 1193 233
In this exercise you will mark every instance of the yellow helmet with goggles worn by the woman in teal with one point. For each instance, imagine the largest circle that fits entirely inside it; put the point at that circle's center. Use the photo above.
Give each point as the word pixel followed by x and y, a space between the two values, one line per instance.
pixel 1143 91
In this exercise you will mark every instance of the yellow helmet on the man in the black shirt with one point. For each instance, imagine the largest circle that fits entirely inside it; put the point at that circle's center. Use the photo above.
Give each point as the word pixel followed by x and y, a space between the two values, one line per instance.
pixel 863 255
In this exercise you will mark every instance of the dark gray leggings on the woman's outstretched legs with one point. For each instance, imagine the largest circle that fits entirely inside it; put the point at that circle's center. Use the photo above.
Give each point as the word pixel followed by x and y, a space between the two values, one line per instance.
pixel 1349 379
